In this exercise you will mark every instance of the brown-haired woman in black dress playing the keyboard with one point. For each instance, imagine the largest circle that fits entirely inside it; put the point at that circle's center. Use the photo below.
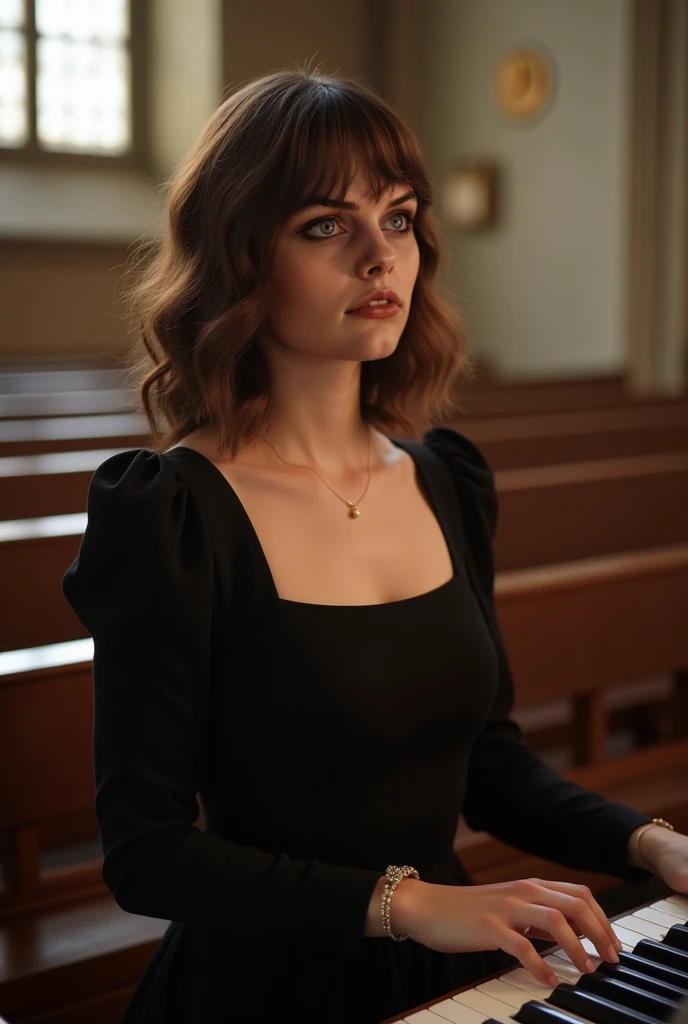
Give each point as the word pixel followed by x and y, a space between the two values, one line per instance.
pixel 293 613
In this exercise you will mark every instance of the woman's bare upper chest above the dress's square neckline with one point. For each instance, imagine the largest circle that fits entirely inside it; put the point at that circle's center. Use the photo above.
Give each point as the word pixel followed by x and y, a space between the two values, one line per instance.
pixel 318 554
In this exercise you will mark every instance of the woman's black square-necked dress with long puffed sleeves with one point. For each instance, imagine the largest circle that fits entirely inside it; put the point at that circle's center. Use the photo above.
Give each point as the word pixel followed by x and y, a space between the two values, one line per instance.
pixel 325 742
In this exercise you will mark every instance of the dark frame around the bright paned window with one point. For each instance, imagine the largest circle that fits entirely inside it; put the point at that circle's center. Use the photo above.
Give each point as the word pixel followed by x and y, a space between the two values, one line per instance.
pixel 139 156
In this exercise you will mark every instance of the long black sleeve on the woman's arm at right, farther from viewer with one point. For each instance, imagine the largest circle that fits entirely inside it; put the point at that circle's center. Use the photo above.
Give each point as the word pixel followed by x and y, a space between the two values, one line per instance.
pixel 511 793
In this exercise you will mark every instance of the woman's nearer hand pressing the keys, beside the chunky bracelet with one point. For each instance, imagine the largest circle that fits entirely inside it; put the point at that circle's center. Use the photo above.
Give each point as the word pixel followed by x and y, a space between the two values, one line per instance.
pixel 464 919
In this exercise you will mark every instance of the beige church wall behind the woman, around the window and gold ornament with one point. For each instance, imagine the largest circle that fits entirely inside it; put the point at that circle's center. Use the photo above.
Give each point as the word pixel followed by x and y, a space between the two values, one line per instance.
pixel 545 293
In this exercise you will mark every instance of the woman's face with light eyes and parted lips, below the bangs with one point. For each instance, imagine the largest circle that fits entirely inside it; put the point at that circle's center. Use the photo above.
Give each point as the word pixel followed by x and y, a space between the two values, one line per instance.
pixel 327 260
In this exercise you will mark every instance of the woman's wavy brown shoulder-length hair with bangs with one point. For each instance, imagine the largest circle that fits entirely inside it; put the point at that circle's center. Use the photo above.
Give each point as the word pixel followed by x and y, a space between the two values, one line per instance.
pixel 198 305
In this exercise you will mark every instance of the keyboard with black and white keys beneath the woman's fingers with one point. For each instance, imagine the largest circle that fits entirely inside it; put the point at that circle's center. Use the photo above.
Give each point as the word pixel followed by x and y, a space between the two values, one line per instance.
pixel 646 988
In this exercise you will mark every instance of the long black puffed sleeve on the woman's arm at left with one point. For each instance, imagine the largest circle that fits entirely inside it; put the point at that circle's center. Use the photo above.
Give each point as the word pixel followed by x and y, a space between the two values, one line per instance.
pixel 144 586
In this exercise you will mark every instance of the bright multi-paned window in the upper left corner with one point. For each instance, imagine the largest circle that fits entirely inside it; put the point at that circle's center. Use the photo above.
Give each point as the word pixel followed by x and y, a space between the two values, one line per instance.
pixel 70 82
